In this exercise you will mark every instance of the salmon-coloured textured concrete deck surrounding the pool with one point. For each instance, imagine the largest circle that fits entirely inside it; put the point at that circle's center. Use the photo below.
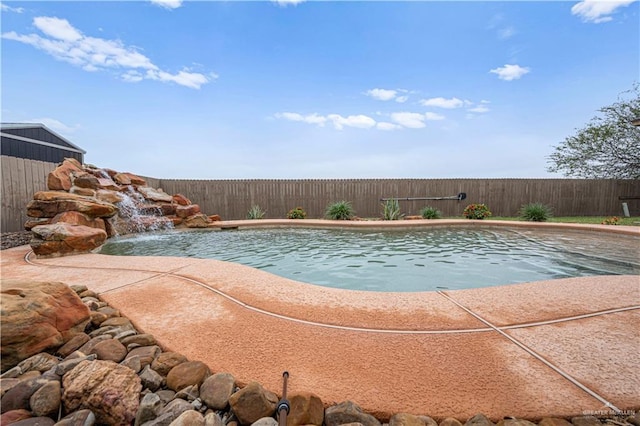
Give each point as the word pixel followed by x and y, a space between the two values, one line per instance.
pixel 551 348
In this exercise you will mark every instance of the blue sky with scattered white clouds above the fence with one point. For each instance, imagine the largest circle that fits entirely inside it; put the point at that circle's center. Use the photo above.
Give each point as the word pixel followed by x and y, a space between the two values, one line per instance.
pixel 314 89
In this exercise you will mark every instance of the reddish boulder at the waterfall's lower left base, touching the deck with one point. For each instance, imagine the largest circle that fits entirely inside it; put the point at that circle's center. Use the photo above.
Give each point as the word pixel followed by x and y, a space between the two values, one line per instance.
pixel 62 238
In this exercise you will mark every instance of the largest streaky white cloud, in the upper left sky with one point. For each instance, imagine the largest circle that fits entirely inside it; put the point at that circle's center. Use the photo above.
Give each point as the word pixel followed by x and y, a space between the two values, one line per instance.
pixel 66 43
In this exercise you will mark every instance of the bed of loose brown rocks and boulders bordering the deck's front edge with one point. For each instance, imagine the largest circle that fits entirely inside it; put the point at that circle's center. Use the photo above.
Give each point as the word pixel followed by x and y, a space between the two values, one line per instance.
pixel 92 367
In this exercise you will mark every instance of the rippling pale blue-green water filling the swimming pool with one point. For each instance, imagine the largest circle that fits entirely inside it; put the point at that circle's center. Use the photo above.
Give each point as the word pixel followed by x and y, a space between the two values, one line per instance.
pixel 404 261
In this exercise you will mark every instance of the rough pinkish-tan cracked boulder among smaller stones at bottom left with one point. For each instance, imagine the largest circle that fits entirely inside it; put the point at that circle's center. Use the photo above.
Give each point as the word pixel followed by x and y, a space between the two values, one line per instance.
pixel 108 389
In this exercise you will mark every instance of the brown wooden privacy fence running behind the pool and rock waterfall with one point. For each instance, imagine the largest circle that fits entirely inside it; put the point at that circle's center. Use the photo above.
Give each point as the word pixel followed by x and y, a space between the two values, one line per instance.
pixel 232 199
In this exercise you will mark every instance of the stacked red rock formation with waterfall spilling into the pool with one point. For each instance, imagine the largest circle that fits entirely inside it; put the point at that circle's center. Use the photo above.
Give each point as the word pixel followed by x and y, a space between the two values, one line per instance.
pixel 85 205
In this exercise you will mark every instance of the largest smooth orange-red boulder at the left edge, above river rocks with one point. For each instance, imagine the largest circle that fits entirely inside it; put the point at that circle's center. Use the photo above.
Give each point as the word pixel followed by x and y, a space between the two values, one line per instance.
pixel 37 316
